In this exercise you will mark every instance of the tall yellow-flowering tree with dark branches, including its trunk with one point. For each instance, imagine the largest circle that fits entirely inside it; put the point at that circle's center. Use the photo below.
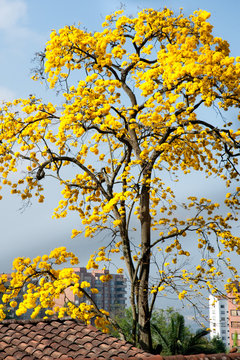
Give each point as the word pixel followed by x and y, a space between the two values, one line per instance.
pixel 127 118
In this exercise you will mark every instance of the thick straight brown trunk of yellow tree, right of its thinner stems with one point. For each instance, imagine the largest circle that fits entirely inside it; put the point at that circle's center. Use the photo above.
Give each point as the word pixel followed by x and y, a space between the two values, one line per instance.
pixel 145 339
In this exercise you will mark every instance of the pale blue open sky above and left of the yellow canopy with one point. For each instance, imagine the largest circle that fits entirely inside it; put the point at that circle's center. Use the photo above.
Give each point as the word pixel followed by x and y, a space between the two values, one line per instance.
pixel 25 26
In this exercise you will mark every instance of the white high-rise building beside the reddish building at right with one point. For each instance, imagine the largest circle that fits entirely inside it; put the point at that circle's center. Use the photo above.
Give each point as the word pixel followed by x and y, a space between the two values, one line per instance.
pixel 219 318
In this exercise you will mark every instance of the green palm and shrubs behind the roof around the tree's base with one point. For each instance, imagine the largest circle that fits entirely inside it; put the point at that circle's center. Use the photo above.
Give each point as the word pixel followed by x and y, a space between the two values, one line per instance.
pixel 170 334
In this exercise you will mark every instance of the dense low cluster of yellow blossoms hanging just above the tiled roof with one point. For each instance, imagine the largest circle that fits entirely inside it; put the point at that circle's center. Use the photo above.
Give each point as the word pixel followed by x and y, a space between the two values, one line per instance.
pixel 45 285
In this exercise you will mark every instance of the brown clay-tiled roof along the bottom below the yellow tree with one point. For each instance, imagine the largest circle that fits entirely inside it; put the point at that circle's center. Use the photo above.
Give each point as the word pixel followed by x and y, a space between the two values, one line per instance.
pixel 70 339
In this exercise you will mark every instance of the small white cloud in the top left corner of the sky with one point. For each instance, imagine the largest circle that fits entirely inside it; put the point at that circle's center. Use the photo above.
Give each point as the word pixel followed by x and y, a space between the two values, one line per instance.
pixel 11 12
